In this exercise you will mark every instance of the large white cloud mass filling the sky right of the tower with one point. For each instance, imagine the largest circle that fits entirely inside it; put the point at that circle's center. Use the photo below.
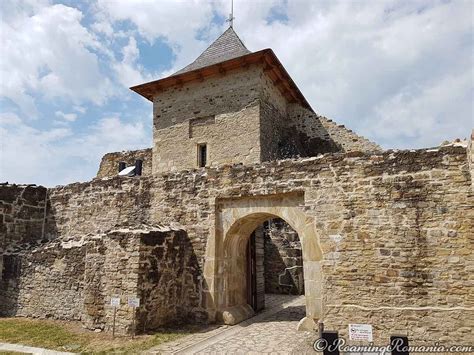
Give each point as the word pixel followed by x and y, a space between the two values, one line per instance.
pixel 356 61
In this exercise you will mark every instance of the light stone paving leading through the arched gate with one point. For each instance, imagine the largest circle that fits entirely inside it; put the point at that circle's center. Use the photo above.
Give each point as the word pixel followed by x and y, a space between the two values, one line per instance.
pixel 271 331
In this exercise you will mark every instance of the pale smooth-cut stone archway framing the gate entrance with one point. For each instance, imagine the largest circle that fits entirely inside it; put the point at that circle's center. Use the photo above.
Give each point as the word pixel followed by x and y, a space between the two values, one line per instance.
pixel 224 268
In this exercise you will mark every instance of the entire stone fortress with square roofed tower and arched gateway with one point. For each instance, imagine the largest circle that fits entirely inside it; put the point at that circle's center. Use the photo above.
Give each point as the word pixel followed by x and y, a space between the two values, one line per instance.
pixel 247 190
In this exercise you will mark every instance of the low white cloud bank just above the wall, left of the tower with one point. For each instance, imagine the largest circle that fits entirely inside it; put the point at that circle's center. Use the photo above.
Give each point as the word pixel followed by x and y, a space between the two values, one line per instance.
pixel 57 156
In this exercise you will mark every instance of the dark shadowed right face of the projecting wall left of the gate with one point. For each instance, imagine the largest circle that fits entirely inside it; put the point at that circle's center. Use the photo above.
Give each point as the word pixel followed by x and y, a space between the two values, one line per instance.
pixel 170 281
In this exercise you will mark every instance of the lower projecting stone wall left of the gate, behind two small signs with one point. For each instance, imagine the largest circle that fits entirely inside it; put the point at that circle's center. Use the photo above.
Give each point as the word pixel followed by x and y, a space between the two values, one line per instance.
pixel 74 279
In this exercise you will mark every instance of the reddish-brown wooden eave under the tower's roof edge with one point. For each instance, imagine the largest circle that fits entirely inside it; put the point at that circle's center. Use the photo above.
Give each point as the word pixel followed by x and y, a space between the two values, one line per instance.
pixel 266 57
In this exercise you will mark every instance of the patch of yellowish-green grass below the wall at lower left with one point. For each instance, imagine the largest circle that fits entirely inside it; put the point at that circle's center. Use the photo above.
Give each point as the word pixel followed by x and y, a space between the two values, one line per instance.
pixel 70 336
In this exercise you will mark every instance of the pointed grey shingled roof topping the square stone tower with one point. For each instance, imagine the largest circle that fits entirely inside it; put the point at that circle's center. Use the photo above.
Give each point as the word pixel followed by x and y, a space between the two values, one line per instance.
pixel 227 46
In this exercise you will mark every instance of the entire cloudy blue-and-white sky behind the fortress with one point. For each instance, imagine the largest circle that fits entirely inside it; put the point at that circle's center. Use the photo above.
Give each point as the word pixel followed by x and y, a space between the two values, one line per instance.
pixel 398 72
